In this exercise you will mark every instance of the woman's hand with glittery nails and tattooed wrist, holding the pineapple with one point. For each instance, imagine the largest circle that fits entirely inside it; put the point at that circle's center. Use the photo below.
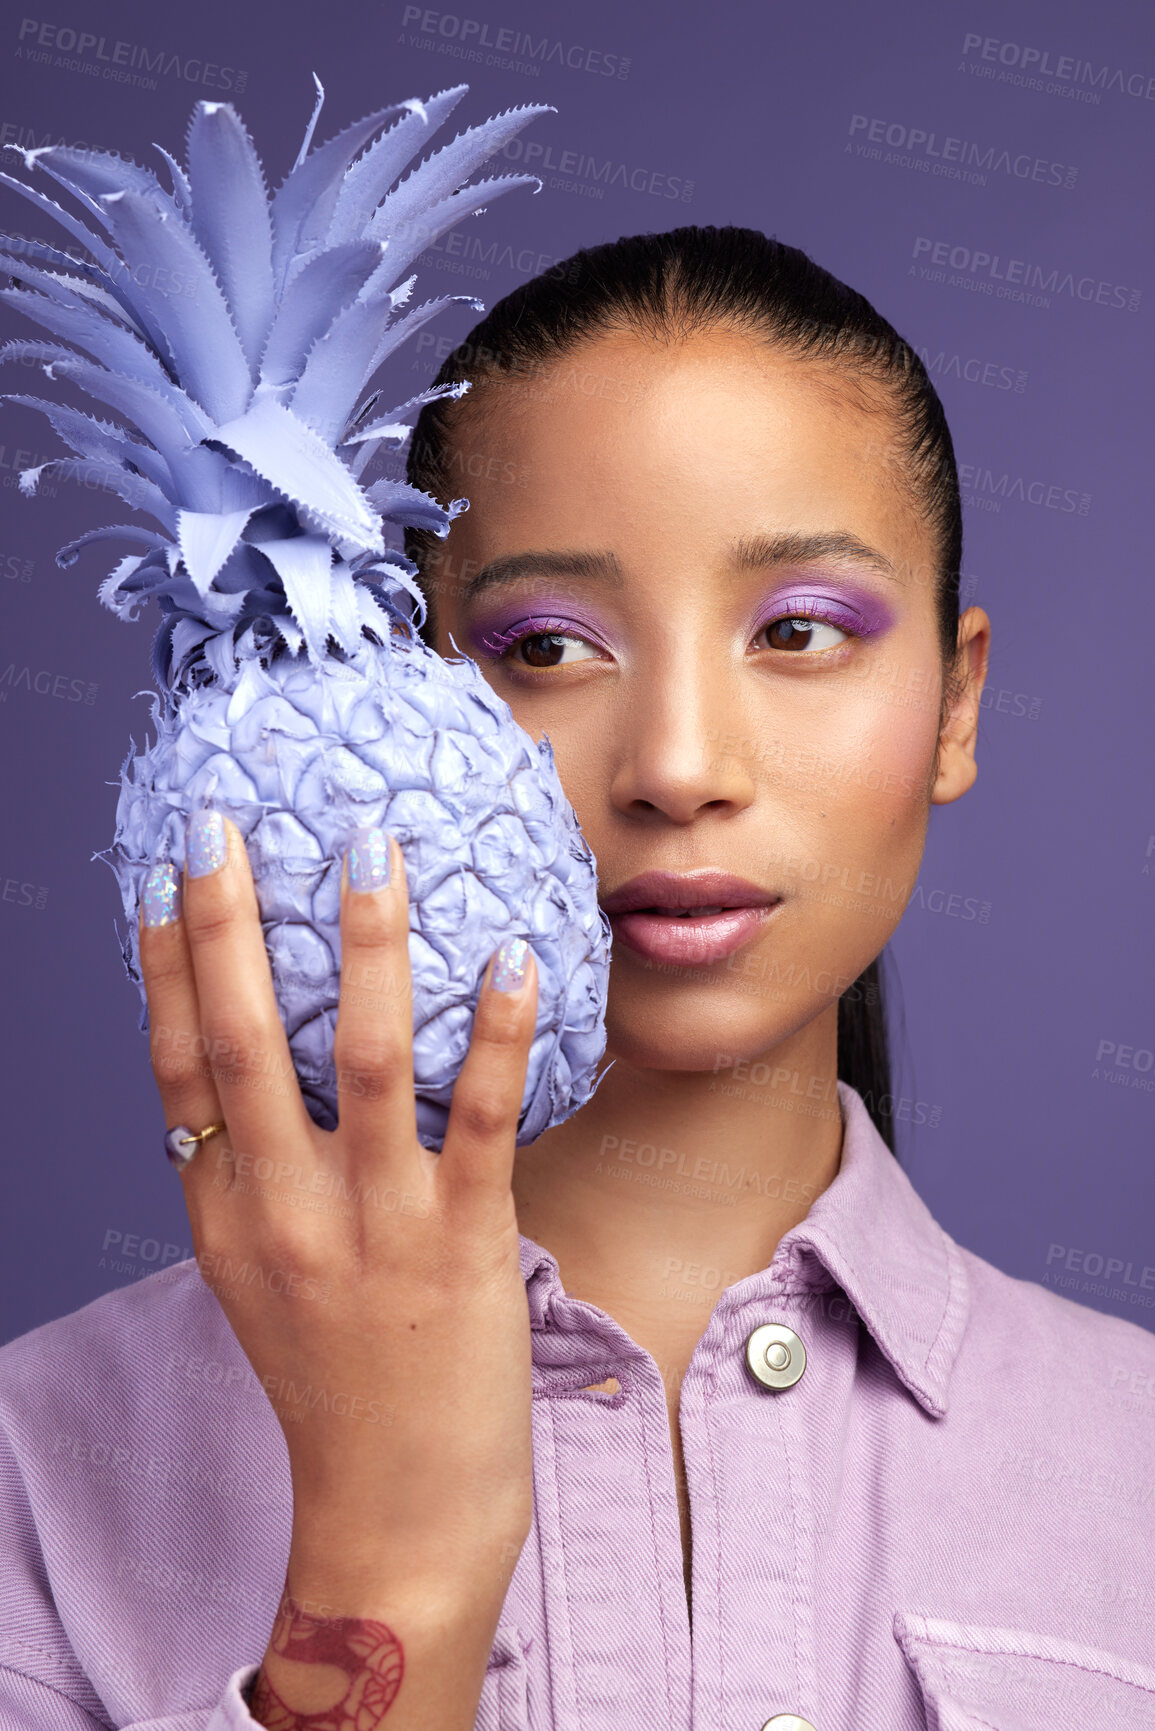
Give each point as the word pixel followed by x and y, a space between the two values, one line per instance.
pixel 389 1322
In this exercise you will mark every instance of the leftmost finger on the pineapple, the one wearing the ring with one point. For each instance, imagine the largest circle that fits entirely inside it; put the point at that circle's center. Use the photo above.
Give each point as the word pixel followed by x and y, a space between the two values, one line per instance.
pixel 177 1048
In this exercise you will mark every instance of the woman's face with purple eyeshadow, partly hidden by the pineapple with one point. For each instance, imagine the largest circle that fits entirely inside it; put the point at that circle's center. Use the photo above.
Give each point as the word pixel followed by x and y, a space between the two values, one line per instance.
pixel 699 570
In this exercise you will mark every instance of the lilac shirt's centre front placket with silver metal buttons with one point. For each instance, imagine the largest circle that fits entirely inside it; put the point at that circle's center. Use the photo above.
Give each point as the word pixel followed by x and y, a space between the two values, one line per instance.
pixel 759 1443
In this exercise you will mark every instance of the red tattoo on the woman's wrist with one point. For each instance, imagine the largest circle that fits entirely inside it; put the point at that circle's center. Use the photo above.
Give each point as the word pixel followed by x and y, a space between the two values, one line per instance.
pixel 368 1652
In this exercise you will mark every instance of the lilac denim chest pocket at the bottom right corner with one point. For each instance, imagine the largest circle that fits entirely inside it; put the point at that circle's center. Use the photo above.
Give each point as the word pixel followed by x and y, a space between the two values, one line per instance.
pixel 976 1678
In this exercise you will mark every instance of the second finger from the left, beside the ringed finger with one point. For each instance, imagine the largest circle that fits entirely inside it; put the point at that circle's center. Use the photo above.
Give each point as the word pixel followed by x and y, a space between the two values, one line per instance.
pixel 240 1019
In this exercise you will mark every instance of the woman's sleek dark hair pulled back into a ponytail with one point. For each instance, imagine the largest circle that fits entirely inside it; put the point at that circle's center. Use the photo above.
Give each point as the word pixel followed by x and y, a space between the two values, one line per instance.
pixel 668 286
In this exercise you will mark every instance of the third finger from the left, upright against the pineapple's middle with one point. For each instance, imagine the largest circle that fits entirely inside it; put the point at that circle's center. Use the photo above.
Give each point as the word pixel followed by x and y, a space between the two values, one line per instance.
pixel 373 1048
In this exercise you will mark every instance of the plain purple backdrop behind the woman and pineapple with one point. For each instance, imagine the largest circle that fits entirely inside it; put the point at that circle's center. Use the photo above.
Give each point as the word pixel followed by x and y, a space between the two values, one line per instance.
pixel 1026 1086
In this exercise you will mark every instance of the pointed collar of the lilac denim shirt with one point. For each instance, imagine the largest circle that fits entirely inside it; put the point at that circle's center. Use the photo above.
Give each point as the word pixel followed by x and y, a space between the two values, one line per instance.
pixel 868 1233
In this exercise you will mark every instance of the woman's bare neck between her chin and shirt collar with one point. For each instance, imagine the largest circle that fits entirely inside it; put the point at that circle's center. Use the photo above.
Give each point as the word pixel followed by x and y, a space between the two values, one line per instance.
pixel 671 1185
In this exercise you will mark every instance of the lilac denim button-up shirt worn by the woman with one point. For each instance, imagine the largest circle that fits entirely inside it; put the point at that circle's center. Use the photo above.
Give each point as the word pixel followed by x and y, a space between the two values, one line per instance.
pixel 948 1522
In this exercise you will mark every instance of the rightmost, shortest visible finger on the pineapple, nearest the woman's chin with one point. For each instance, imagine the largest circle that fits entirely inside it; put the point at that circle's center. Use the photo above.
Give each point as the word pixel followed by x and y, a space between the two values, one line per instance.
pixel 481 1138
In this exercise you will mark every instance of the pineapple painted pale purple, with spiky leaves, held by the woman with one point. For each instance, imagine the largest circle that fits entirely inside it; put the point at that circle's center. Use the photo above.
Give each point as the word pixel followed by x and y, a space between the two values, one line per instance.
pixel 236 337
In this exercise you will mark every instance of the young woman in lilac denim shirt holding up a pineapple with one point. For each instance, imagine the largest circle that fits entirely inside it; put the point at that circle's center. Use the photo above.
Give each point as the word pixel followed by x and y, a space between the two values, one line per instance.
pixel 690 1415
